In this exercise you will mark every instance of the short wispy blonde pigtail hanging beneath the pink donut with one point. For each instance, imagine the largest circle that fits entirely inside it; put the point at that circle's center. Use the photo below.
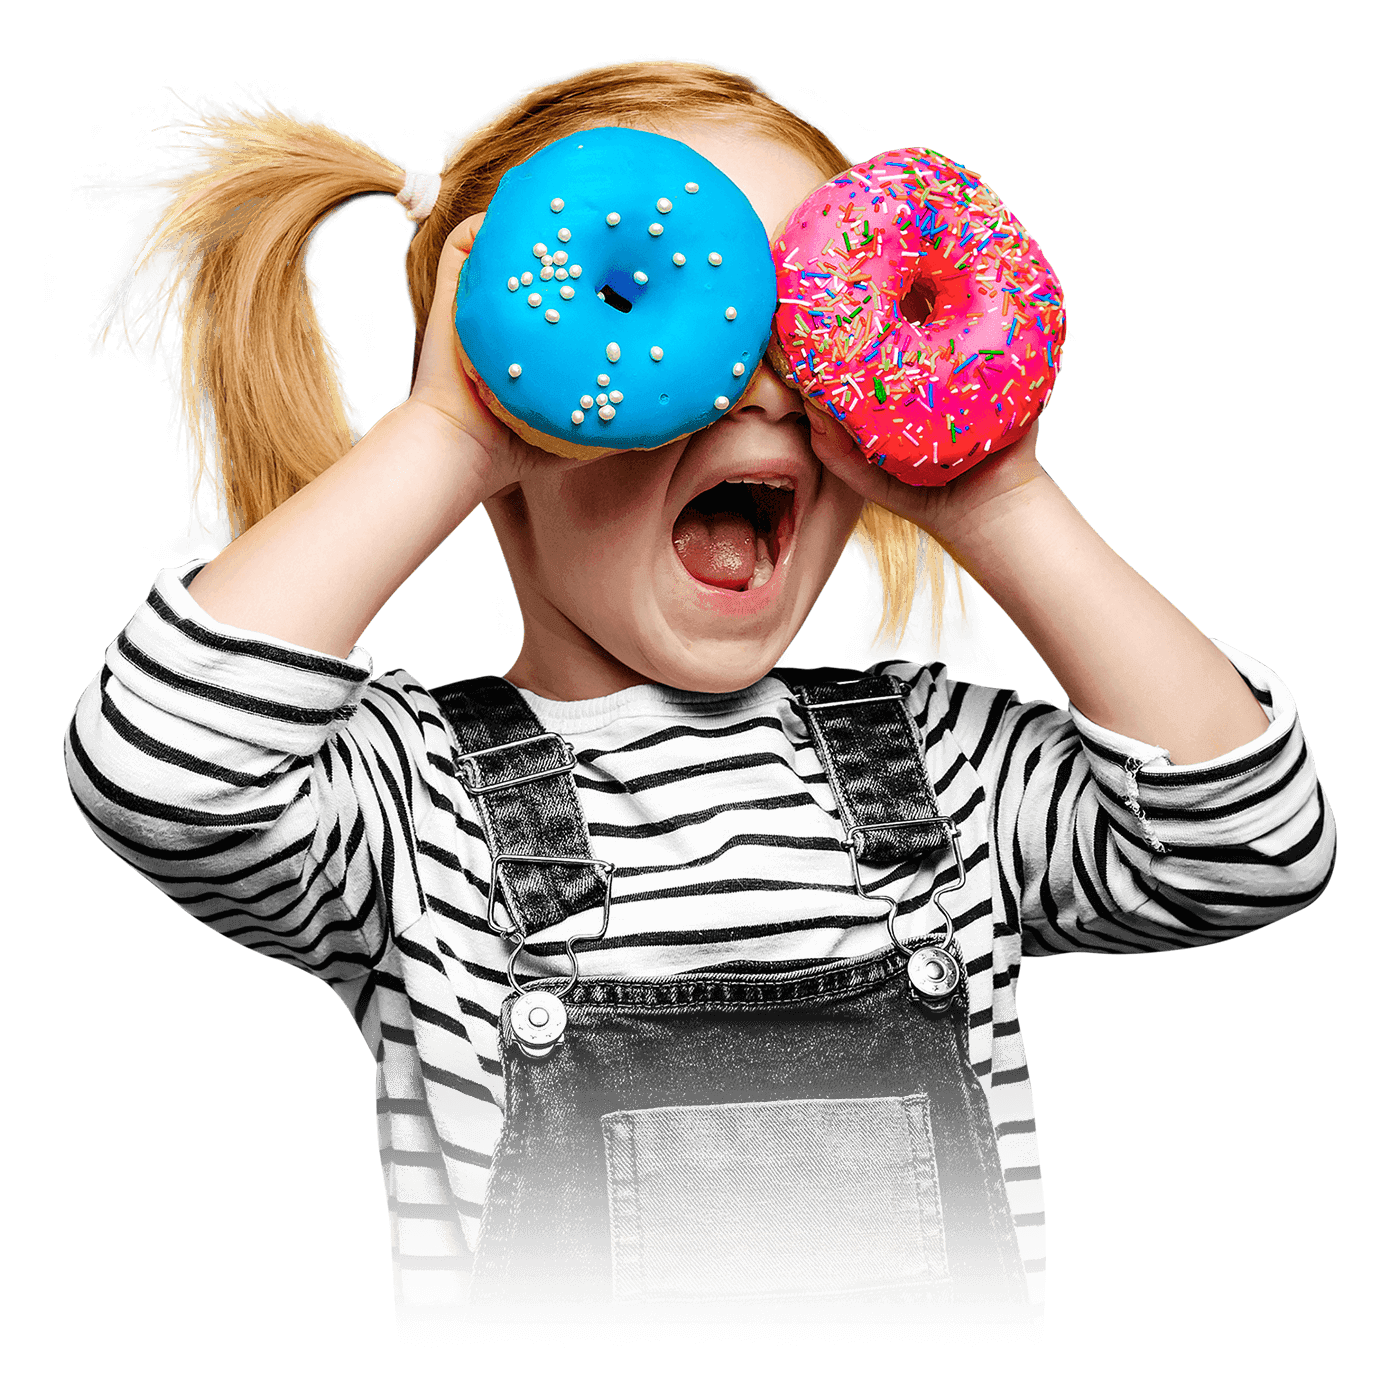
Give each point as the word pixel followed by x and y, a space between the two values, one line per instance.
pixel 913 575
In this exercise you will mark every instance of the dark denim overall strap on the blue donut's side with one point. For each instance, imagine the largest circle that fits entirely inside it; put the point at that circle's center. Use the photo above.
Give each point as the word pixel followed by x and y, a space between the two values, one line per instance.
pixel 521 782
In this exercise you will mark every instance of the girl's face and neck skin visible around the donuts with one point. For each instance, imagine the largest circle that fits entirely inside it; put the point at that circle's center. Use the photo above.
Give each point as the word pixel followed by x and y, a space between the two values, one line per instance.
pixel 593 552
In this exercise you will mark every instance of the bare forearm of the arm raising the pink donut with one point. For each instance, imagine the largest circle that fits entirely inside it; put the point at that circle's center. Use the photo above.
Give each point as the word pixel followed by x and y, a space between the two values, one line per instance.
pixel 1125 656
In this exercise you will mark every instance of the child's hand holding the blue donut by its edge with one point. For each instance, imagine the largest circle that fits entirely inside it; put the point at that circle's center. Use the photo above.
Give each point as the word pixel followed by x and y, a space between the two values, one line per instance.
pixel 443 384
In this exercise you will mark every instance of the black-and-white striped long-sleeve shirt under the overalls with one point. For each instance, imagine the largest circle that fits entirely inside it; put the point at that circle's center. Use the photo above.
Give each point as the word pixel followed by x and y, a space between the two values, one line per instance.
pixel 313 814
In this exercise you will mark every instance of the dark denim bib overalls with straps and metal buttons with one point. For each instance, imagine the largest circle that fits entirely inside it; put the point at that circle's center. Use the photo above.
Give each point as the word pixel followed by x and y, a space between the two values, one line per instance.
pixel 772 1135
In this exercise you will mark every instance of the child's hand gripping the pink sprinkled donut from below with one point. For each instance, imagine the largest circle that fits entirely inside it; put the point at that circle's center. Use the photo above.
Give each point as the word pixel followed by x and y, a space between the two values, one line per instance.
pixel 946 512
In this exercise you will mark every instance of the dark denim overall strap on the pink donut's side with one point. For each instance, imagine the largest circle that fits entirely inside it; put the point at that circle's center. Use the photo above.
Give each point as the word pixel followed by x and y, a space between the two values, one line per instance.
pixel 874 762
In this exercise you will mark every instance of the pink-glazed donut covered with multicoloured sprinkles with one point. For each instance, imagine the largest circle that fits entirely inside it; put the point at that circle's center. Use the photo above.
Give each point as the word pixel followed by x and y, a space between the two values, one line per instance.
pixel 916 309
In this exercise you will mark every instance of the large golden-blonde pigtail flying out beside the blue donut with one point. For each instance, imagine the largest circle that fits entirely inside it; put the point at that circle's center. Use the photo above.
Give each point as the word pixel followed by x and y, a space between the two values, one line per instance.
pixel 258 386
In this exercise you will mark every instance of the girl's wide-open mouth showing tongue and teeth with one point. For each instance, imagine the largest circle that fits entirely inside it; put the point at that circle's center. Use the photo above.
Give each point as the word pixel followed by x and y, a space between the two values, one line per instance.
pixel 733 535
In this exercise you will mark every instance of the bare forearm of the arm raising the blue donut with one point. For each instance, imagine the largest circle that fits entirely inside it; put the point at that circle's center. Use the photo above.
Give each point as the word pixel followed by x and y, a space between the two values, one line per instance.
pixel 318 569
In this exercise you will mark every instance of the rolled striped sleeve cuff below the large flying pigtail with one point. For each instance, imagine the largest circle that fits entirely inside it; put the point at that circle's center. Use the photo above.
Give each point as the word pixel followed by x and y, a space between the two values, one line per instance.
pixel 237 682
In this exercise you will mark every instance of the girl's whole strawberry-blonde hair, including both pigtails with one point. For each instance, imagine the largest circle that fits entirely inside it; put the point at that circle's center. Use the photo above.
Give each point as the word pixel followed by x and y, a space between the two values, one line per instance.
pixel 258 386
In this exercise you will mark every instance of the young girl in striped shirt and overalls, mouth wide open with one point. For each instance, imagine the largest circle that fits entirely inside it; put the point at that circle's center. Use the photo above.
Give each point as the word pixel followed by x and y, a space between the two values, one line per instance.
pixel 628 937
